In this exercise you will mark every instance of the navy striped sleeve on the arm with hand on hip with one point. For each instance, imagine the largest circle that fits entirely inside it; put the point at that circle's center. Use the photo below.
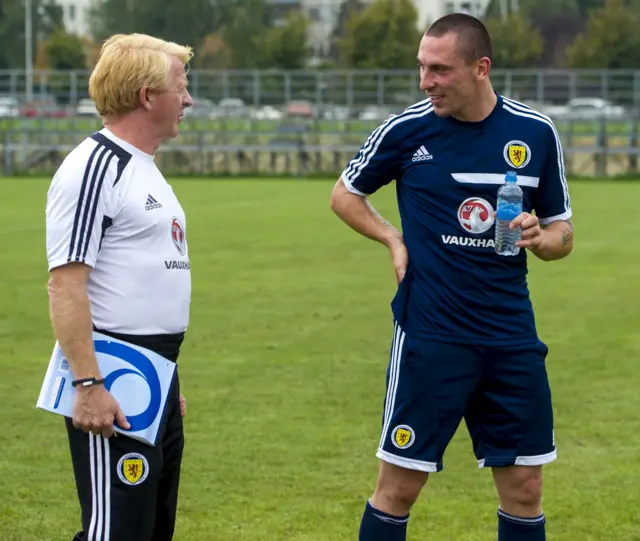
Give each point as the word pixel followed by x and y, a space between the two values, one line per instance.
pixel 375 164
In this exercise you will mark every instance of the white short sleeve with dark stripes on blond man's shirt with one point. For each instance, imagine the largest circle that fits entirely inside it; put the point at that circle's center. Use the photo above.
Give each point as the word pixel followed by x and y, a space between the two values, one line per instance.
pixel 78 210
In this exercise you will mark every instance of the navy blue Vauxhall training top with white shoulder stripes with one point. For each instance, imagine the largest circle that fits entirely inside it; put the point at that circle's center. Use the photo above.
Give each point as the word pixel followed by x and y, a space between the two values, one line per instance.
pixel 447 176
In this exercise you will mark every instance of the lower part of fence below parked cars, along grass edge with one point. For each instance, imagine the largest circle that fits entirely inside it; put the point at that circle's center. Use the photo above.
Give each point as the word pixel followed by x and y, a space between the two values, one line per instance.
pixel 298 147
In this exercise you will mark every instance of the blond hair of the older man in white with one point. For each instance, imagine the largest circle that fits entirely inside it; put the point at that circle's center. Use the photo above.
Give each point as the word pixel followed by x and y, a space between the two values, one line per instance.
pixel 128 62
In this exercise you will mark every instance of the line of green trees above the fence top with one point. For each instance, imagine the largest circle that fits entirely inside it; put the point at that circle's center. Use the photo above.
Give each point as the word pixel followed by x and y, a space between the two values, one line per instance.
pixel 384 34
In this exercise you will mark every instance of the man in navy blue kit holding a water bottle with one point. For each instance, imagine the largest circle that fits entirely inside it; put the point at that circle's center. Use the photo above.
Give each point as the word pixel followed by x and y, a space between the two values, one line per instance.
pixel 465 344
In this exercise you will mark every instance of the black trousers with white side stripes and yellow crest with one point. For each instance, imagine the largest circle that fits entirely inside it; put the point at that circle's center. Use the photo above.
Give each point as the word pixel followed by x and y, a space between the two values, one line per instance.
pixel 128 490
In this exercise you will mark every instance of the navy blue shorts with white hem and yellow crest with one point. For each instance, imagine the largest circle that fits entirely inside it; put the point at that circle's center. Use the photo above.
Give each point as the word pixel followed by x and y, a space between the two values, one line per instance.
pixel 502 393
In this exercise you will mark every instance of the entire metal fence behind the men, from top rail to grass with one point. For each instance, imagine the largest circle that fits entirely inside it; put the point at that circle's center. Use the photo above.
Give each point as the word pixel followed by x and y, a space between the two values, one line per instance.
pixel 597 142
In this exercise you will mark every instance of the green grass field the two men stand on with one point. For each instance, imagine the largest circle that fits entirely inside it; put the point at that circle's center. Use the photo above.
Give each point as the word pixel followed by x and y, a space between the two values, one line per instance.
pixel 284 367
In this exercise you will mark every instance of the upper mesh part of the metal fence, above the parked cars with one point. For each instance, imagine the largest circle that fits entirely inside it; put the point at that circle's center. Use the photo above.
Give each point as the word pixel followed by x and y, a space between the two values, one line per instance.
pixel 353 88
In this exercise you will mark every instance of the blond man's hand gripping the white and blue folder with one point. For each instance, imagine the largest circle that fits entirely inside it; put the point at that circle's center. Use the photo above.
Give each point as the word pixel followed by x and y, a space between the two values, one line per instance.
pixel 95 409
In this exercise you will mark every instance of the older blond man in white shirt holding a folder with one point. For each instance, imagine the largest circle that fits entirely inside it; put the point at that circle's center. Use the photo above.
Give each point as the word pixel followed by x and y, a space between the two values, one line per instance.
pixel 119 265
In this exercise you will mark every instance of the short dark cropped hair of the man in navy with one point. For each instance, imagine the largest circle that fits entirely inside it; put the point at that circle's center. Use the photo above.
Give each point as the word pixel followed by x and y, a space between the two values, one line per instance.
pixel 473 37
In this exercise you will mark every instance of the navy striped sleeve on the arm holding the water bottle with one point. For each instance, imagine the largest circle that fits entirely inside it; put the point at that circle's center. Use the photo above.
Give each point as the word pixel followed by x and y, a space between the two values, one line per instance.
pixel 553 201
